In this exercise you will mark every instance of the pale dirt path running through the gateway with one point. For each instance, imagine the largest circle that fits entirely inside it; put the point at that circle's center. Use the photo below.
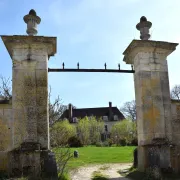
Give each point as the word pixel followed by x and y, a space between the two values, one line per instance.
pixel 85 173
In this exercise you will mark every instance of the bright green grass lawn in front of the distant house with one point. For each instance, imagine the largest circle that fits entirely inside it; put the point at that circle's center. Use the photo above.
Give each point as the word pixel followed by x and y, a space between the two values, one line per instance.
pixel 100 155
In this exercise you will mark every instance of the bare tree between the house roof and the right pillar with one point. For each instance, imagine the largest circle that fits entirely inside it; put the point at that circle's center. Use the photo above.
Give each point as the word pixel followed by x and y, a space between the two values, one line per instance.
pixel 129 109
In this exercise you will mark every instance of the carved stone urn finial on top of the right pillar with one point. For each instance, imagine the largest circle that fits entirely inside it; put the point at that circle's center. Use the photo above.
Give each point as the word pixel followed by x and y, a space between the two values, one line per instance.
pixel 143 26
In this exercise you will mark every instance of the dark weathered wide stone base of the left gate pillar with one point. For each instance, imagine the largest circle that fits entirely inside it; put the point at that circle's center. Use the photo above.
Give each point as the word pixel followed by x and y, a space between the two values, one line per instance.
pixel 34 164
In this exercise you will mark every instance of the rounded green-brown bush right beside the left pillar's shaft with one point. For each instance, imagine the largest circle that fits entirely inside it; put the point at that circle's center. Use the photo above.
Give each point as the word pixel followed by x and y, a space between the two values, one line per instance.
pixel 60 132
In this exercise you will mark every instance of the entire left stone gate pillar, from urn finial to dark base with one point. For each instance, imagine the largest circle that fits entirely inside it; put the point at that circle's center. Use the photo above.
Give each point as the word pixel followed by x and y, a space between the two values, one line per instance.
pixel 30 55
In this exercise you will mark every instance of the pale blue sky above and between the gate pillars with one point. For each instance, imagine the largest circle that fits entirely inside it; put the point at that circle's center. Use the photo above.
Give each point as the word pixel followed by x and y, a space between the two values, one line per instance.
pixel 92 32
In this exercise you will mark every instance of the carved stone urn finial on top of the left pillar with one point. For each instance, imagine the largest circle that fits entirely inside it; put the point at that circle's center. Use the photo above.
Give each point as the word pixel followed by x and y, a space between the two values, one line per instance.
pixel 32 20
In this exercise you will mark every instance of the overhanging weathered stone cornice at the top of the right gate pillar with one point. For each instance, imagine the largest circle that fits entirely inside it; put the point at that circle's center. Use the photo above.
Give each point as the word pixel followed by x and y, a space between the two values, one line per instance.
pixel 147 46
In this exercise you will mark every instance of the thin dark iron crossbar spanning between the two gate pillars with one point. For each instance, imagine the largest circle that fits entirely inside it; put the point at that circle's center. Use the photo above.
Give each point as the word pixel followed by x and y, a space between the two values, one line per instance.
pixel 90 70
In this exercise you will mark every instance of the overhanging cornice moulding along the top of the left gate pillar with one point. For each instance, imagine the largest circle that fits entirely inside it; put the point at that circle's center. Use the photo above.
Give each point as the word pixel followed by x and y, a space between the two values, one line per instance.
pixel 11 41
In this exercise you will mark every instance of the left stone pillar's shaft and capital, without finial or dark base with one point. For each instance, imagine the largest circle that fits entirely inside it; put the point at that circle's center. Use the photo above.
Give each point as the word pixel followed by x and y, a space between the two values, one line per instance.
pixel 30 55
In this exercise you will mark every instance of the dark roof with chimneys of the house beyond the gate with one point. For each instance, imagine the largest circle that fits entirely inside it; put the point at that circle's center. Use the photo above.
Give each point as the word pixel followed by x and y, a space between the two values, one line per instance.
pixel 109 115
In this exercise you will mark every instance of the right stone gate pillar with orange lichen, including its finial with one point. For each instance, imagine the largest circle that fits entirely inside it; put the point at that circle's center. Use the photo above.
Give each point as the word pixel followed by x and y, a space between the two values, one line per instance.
pixel 152 94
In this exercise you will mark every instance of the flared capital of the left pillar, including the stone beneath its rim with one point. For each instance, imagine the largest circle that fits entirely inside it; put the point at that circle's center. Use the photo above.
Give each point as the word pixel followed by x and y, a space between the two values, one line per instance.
pixel 30 43
